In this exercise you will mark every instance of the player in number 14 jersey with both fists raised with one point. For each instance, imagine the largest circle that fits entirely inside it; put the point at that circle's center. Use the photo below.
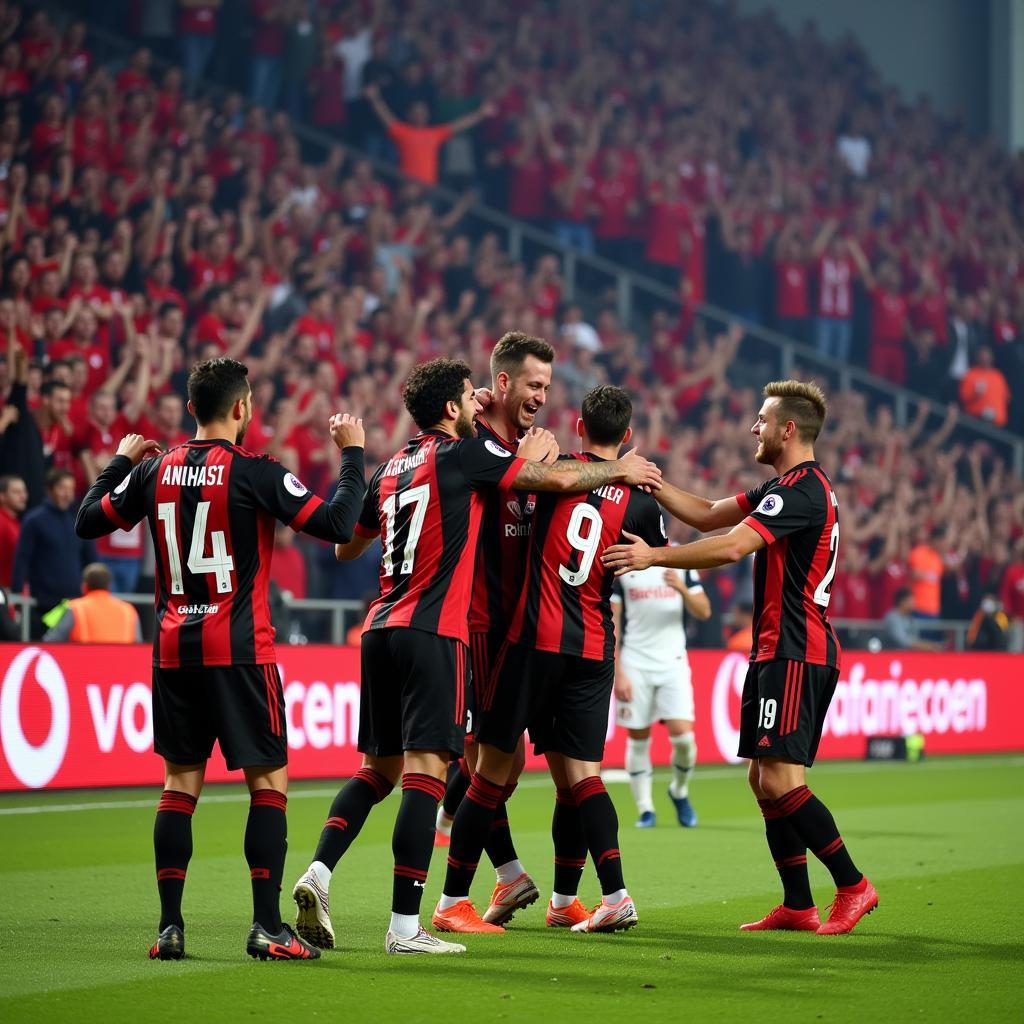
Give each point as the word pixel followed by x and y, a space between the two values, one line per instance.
pixel 212 508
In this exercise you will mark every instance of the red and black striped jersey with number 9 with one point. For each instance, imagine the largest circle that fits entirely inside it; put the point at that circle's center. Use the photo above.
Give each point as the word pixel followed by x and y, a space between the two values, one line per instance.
pixel 566 604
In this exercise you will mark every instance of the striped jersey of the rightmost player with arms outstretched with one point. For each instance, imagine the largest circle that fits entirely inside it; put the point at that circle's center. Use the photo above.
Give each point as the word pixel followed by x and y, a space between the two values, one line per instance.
pixel 798 517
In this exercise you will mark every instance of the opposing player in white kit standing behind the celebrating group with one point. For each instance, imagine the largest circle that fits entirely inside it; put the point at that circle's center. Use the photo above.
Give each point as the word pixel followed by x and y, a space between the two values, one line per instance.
pixel 653 679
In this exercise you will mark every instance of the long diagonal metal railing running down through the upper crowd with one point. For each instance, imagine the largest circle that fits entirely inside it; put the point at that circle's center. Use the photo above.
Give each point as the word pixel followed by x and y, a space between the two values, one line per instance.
pixel 634 291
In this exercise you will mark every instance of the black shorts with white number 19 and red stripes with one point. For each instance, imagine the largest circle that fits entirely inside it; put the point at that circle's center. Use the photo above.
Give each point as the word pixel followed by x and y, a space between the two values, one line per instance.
pixel 784 710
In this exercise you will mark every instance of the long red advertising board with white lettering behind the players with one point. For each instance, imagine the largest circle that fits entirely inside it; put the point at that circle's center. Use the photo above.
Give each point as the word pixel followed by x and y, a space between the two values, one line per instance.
pixel 80 716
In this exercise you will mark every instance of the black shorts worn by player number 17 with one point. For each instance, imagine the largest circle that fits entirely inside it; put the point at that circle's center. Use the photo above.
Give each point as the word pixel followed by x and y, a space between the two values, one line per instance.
pixel 413 694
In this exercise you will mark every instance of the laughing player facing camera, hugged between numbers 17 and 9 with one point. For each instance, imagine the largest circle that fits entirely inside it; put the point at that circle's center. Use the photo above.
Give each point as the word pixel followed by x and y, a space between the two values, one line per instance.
pixel 521 377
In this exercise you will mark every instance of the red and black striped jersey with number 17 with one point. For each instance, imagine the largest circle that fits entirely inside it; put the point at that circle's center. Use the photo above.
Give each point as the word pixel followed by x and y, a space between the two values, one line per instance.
pixel 426 503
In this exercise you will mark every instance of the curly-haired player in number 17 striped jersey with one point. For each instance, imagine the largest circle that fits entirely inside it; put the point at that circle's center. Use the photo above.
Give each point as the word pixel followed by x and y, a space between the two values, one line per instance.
pixel 426 504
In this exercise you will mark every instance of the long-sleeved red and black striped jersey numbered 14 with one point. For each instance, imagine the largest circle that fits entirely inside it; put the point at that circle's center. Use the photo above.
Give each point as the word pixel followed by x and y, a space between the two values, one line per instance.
pixel 212 508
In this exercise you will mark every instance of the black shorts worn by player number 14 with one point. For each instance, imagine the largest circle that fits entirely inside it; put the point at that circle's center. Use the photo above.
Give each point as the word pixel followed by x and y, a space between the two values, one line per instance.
pixel 240 706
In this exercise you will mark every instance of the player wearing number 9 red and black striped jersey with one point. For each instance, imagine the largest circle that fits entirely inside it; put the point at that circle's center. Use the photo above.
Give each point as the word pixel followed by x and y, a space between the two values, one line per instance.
pixel 554 676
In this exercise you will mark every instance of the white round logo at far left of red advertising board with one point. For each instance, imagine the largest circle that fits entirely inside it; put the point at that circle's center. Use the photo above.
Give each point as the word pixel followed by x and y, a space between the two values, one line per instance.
pixel 34 766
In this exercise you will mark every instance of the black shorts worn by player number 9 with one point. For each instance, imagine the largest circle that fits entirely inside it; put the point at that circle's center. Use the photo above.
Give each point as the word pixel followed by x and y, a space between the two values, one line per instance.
pixel 564 701
